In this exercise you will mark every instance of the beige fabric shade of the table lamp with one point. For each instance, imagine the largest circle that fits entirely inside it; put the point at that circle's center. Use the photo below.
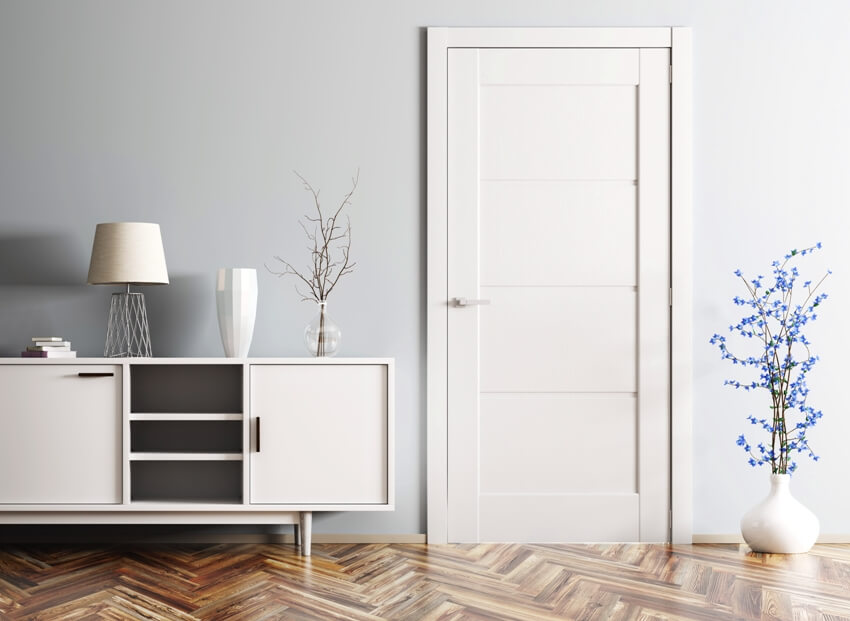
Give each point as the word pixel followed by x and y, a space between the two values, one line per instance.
pixel 127 253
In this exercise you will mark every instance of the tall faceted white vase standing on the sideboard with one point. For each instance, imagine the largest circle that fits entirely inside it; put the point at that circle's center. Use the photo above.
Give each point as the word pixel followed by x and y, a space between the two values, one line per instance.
pixel 236 300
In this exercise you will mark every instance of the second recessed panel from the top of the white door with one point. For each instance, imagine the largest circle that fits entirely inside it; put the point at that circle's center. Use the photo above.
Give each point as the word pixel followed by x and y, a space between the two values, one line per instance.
pixel 522 221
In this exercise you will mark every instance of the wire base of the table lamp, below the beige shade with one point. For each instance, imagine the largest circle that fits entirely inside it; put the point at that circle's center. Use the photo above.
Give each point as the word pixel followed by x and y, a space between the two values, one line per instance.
pixel 127 334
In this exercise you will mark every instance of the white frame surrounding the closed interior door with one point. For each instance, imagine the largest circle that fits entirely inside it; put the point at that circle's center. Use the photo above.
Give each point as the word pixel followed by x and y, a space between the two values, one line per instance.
pixel 678 40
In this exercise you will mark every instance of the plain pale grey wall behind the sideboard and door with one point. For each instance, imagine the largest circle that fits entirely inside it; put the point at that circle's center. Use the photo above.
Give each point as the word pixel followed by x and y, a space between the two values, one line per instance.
pixel 193 114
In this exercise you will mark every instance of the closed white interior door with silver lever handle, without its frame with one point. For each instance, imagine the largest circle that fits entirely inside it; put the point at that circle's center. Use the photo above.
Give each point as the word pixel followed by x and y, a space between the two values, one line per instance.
pixel 558 223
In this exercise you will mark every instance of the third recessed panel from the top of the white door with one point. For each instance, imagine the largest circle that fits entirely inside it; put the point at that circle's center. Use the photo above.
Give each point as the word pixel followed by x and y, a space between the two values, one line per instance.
pixel 552 339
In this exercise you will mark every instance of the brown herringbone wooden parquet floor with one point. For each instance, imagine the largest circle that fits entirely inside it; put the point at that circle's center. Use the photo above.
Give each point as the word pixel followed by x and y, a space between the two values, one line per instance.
pixel 450 583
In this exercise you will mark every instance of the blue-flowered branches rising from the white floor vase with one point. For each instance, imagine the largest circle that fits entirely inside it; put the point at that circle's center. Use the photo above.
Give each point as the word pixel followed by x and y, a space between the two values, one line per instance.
pixel 783 359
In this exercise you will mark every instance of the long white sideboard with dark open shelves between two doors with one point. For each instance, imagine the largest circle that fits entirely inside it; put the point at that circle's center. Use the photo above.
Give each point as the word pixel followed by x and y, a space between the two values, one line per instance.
pixel 195 440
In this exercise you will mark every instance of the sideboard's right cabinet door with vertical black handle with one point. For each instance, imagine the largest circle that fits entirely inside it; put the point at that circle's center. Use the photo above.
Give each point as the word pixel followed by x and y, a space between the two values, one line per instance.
pixel 323 431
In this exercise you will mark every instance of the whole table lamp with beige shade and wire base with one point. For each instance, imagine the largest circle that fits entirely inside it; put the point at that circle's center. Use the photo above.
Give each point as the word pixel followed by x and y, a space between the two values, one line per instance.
pixel 127 253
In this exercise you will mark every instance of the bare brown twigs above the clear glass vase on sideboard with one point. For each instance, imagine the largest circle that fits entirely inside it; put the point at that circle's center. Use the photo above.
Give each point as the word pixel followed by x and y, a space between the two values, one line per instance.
pixel 330 246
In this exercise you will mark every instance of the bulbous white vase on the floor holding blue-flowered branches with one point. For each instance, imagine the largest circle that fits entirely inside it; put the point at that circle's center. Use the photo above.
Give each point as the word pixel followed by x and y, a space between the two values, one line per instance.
pixel 779 524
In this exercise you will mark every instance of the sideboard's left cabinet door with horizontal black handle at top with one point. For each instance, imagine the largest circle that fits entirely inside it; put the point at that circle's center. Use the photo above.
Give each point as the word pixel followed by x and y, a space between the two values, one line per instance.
pixel 75 424
